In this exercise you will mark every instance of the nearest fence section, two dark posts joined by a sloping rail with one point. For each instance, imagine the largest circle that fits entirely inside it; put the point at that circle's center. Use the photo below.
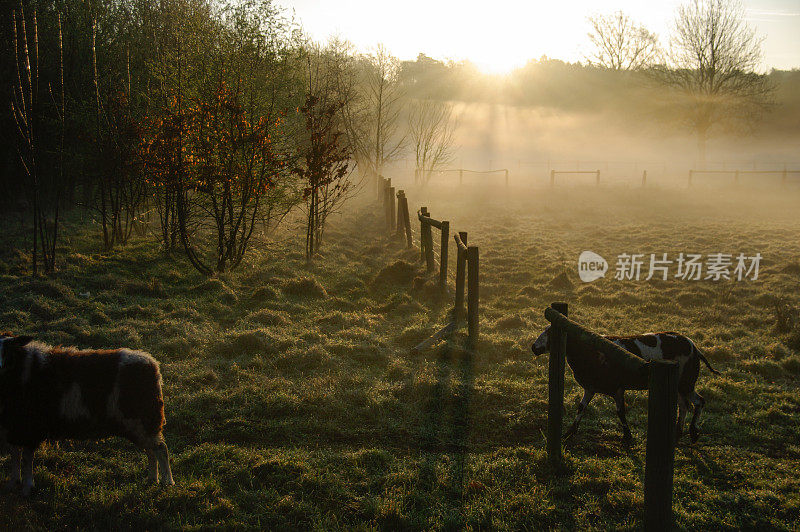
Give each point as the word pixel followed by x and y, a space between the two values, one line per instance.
pixel 661 379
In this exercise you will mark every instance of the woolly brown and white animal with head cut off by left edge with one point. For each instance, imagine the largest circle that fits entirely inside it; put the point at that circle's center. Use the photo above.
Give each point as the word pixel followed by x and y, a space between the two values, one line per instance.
pixel 53 393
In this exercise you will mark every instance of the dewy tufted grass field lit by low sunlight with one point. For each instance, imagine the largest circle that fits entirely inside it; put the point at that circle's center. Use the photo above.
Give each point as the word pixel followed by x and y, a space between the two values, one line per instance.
pixel 293 403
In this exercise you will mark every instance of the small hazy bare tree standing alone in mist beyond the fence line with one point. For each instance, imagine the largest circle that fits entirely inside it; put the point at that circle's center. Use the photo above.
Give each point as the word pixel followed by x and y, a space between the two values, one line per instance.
pixel 430 129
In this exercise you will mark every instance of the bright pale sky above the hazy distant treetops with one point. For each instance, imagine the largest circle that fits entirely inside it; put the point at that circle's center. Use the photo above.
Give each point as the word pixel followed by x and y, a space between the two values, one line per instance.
pixel 500 35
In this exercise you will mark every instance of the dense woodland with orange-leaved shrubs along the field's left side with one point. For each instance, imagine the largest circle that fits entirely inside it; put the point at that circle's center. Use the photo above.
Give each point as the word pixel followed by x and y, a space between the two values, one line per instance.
pixel 215 119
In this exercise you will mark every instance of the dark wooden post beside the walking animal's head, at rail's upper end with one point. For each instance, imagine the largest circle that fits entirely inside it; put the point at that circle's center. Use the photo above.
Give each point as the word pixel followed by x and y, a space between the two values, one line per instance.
pixel 555 386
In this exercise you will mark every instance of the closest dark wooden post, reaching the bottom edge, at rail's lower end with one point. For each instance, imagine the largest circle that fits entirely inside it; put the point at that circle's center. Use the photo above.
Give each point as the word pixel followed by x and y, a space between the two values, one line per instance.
pixel 660 454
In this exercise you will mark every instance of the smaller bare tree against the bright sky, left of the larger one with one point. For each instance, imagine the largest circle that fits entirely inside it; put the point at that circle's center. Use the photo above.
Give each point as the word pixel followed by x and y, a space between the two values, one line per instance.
pixel 621 44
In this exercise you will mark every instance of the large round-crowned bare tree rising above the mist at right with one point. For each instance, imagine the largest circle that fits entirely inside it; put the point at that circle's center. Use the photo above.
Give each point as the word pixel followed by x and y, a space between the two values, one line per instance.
pixel 713 60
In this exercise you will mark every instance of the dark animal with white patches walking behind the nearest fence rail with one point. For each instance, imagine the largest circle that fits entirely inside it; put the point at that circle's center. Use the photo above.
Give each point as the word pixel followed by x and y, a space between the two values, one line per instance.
pixel 596 374
